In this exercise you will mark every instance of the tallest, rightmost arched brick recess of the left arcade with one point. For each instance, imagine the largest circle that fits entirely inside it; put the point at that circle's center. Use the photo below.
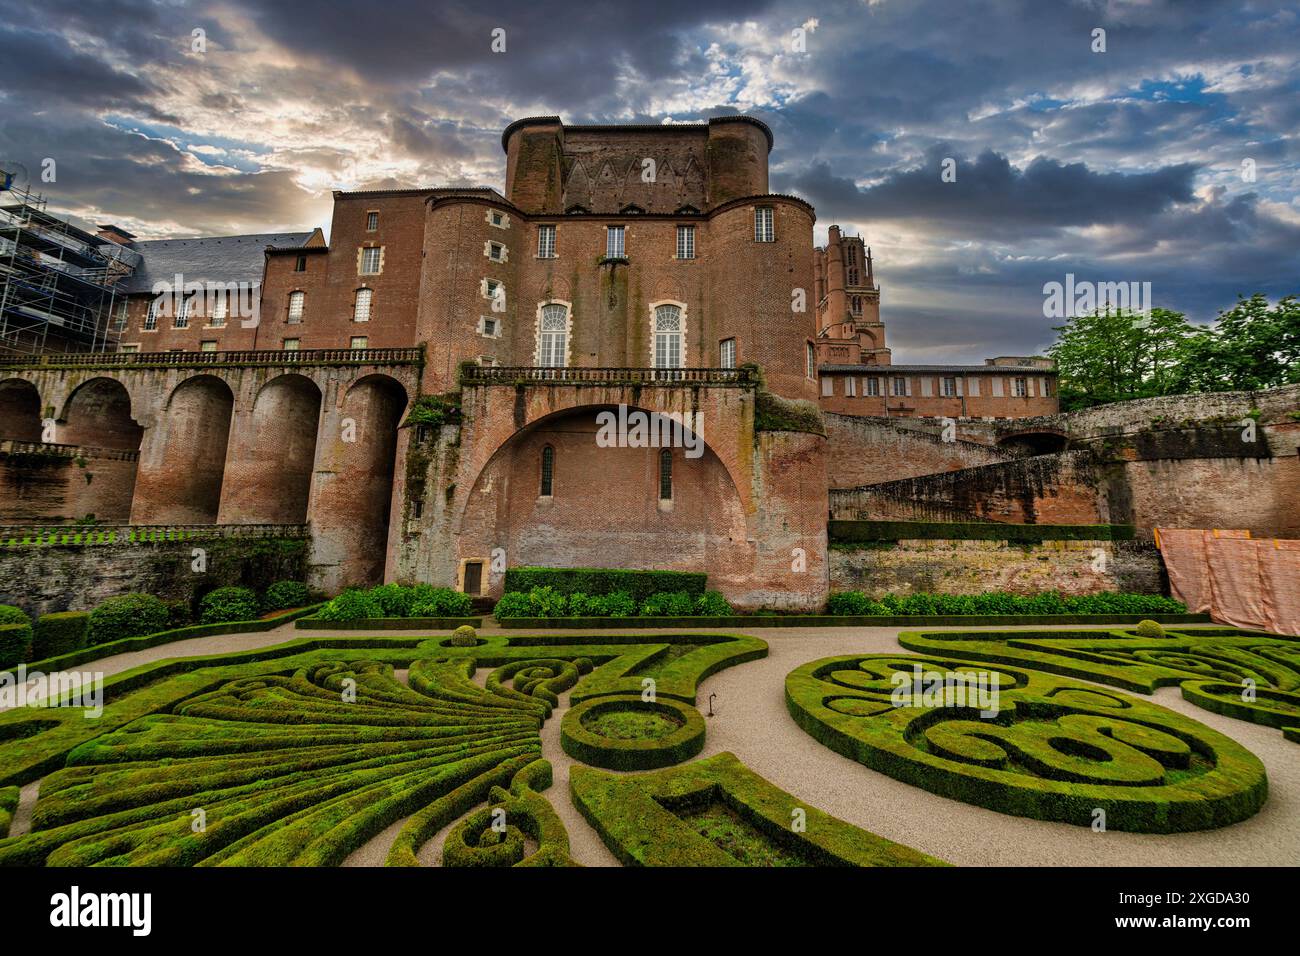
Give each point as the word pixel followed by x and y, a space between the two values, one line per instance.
pixel 354 495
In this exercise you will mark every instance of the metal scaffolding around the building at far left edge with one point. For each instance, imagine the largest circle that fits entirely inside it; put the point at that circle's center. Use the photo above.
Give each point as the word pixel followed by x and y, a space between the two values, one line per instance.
pixel 58 283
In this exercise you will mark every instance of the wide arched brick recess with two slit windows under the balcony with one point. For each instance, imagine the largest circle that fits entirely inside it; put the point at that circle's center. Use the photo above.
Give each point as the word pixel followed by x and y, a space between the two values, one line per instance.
pixel 605 508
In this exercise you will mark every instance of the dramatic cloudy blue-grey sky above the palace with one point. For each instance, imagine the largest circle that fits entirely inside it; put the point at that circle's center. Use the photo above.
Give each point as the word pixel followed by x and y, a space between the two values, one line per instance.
pixel 1123 166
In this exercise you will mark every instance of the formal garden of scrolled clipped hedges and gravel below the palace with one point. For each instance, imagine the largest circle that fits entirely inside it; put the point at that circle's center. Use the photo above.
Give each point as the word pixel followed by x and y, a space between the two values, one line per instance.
pixel 409 726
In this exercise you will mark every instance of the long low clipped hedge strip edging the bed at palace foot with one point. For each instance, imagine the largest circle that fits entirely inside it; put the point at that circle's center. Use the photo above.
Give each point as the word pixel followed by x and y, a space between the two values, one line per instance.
pixel 744 621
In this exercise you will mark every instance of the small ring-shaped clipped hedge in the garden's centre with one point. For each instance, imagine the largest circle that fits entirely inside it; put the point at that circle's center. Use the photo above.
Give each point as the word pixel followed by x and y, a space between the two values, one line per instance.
pixel 642 754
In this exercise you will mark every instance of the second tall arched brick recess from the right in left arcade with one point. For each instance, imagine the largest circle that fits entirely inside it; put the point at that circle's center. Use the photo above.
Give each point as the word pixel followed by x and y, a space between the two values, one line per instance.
pixel 272 456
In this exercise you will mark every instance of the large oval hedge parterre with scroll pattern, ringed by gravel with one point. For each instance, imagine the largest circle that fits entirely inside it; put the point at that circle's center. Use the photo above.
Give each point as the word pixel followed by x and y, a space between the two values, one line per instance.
pixel 1048 749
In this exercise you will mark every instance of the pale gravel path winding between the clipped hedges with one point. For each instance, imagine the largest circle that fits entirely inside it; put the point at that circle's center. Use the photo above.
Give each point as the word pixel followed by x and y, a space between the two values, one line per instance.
pixel 751 721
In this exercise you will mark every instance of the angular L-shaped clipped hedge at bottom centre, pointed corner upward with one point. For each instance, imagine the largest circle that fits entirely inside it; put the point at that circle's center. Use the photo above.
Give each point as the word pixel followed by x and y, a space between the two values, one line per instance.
pixel 640 820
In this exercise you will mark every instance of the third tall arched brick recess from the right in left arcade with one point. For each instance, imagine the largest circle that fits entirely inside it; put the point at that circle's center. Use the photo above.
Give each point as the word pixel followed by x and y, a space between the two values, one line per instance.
pixel 183 464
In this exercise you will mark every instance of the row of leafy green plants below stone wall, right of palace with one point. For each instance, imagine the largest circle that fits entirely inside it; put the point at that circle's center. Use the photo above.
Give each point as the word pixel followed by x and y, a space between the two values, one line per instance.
pixel 856 604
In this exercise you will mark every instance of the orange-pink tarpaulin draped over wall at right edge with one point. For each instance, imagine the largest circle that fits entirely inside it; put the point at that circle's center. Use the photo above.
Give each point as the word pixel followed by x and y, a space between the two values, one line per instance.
pixel 1245 582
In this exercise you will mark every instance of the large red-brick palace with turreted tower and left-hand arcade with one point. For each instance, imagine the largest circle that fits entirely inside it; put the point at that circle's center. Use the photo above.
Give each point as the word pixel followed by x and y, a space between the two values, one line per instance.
pixel 427 390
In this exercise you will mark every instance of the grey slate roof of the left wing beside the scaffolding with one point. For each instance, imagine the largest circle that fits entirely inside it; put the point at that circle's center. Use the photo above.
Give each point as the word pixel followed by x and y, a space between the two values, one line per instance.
pixel 216 259
